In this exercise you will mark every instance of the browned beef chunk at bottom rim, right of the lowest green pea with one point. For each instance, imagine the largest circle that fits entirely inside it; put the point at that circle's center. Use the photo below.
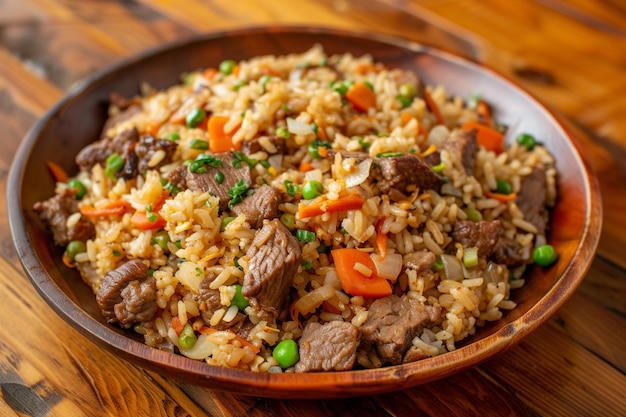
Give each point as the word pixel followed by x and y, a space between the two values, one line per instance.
pixel 327 347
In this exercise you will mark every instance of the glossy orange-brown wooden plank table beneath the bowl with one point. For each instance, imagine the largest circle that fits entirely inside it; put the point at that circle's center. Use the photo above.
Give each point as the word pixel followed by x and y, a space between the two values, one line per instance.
pixel 571 54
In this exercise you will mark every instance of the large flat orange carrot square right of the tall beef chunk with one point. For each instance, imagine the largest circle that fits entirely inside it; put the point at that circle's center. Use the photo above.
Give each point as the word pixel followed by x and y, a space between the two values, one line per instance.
pixel 355 282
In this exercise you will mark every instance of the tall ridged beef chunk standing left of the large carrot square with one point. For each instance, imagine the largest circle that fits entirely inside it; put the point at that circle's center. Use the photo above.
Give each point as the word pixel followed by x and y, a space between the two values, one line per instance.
pixel 274 257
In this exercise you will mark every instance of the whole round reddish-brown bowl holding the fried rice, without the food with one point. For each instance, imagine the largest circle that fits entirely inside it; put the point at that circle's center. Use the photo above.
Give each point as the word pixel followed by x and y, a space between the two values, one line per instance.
pixel 77 119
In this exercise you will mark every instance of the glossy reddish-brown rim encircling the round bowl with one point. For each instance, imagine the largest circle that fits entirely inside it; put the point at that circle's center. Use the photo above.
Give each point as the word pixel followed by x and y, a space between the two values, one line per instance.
pixel 309 385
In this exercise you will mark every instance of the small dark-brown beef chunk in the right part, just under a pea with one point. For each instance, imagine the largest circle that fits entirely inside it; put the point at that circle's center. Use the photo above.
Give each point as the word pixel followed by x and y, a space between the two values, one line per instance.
pixel 483 234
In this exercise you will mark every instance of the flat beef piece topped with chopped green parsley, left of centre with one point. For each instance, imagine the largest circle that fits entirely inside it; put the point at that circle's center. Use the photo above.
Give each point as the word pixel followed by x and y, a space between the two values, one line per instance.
pixel 205 181
